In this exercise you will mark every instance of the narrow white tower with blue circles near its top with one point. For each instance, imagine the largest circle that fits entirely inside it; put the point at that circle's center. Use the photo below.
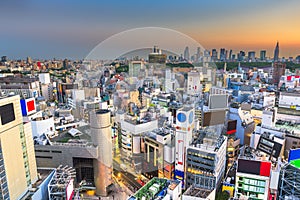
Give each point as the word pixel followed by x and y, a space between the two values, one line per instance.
pixel 183 136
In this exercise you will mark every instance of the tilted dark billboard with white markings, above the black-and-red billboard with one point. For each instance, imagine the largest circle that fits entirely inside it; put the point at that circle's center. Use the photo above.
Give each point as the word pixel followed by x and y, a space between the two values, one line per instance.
pixel 269 147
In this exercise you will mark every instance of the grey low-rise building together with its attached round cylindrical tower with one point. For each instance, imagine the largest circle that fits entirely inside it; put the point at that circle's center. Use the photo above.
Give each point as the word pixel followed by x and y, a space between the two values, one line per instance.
pixel 89 152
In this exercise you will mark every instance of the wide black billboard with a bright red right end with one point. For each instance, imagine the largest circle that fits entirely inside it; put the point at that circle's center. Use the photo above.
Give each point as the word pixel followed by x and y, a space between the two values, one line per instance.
pixel 260 168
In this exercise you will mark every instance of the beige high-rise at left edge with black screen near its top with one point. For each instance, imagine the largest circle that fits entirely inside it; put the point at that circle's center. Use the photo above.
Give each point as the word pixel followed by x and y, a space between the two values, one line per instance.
pixel 17 158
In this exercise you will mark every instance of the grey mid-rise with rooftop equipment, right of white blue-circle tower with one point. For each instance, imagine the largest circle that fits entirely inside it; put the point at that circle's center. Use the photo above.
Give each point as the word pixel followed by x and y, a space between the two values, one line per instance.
pixel 206 160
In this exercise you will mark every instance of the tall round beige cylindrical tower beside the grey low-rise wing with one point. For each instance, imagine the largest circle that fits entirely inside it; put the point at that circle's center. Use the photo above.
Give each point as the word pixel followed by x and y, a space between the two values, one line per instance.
pixel 101 136
